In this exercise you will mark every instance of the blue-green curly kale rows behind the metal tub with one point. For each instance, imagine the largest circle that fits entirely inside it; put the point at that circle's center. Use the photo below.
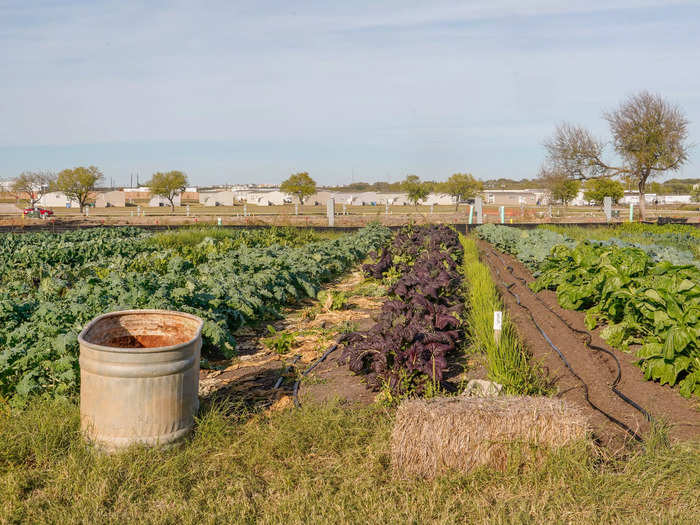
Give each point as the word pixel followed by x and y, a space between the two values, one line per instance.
pixel 44 307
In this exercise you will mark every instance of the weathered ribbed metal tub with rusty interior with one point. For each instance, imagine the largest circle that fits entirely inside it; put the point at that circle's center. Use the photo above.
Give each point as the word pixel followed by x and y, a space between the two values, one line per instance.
pixel 139 377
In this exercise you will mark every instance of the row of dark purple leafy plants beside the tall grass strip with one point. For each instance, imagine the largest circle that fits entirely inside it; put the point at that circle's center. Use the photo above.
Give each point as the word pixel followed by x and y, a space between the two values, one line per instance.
pixel 405 352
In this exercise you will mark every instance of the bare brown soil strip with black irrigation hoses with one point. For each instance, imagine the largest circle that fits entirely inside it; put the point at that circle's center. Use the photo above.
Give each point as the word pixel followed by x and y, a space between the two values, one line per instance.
pixel 596 369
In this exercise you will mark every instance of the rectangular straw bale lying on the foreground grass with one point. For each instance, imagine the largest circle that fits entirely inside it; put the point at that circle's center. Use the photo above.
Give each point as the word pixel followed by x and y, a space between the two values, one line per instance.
pixel 431 436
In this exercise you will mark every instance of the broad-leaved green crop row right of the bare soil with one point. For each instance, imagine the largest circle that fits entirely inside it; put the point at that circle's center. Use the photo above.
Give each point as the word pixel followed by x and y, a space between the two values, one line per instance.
pixel 646 305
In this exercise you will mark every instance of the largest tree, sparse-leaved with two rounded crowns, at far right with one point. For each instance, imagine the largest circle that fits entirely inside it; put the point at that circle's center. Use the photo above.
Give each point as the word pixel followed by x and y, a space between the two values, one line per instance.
pixel 649 134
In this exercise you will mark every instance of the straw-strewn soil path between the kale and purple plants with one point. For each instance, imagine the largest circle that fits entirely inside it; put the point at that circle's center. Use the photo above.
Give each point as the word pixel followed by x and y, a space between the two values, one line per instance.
pixel 253 375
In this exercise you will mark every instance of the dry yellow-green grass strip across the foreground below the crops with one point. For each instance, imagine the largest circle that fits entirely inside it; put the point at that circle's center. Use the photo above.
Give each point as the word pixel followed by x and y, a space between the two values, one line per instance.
pixel 326 464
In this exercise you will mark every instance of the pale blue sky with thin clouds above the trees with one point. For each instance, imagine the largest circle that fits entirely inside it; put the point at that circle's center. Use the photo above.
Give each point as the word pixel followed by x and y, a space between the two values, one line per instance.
pixel 236 92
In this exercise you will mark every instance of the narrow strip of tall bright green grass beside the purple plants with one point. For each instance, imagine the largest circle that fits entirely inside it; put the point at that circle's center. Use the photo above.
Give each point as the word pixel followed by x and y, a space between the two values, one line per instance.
pixel 508 360
